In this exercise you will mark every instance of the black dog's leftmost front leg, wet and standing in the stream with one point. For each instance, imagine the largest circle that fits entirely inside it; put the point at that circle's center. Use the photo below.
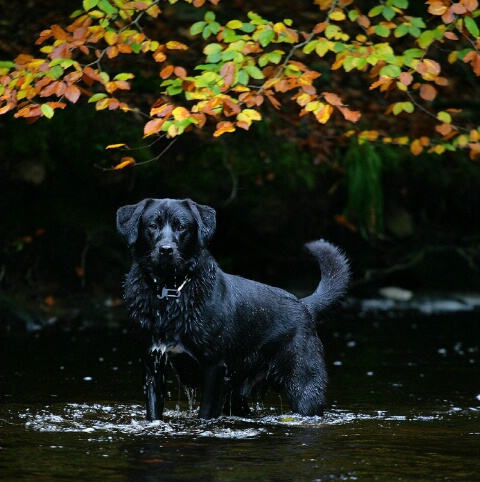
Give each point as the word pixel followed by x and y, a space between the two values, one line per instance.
pixel 154 379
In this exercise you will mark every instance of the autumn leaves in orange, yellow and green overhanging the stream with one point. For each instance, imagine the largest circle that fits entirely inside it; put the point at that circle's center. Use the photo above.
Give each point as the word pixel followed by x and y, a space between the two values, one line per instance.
pixel 378 74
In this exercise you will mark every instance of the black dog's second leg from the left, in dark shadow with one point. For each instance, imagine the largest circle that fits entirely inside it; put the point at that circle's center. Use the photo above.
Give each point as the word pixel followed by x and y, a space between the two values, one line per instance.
pixel 213 391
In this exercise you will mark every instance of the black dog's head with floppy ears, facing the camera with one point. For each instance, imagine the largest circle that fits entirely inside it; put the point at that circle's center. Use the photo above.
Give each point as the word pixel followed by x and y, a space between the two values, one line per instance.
pixel 166 234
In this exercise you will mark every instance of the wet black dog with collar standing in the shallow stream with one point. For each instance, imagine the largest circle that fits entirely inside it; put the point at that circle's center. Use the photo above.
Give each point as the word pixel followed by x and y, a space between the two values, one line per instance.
pixel 227 334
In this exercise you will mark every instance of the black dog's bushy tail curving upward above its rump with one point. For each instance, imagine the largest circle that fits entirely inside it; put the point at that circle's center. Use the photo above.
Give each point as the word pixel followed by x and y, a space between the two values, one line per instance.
pixel 335 271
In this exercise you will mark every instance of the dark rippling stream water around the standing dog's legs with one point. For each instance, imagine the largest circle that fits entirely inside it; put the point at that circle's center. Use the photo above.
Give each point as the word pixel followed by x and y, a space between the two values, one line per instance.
pixel 404 405
